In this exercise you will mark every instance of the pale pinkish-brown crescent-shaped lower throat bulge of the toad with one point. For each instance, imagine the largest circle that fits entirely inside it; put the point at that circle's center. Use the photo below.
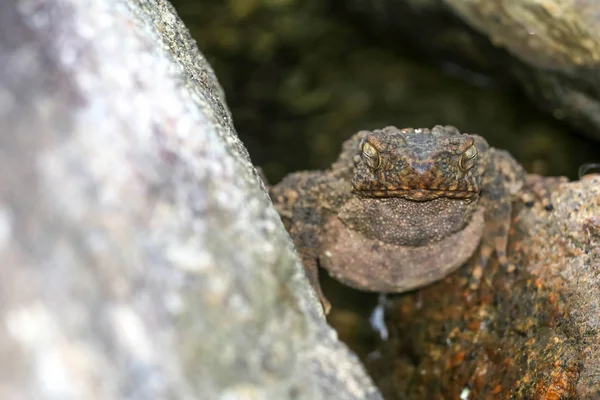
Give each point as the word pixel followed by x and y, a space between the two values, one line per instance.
pixel 372 265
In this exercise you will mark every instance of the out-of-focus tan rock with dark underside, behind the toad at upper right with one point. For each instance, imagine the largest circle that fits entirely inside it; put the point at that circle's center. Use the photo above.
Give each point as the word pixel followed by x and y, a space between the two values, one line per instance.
pixel 552 47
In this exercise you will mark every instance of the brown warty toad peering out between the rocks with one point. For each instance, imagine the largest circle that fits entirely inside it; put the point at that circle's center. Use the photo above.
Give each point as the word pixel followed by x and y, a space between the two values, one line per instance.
pixel 400 209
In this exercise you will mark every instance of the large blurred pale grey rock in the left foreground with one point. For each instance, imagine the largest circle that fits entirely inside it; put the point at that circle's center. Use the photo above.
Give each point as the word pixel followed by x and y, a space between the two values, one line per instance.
pixel 140 257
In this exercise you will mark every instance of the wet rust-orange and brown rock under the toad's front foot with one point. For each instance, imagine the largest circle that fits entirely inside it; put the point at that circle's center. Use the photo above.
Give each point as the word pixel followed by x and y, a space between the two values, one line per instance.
pixel 533 334
